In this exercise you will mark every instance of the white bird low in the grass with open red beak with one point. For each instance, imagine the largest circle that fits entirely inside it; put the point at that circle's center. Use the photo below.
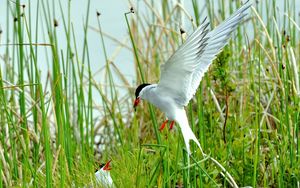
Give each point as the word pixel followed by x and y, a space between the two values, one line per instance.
pixel 103 175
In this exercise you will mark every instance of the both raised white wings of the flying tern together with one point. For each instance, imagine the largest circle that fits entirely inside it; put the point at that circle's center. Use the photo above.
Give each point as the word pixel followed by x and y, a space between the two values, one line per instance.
pixel 183 71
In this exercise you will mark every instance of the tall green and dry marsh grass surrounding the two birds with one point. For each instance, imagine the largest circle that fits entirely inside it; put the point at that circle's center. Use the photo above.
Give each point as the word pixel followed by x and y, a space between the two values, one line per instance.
pixel 246 112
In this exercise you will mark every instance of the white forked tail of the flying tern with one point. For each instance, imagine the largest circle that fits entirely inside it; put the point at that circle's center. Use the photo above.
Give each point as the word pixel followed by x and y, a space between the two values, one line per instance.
pixel 187 131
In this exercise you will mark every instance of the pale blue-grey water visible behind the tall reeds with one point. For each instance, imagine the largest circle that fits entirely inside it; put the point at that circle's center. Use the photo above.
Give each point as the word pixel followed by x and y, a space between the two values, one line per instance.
pixel 113 24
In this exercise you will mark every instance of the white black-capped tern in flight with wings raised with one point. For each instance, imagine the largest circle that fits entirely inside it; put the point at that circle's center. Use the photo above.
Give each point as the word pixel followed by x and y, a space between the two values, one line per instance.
pixel 181 74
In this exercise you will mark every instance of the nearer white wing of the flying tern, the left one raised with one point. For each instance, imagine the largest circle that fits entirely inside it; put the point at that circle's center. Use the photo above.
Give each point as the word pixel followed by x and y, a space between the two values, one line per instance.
pixel 176 74
